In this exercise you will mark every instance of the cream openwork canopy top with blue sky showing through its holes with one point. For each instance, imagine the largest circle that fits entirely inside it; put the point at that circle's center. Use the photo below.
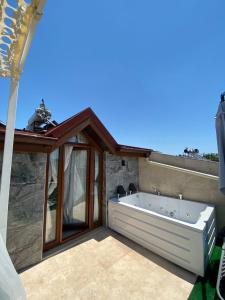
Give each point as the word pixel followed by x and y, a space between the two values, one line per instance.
pixel 16 18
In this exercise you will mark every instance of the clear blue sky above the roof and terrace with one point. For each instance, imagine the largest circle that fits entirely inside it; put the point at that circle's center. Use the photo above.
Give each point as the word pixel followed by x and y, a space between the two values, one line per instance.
pixel 152 71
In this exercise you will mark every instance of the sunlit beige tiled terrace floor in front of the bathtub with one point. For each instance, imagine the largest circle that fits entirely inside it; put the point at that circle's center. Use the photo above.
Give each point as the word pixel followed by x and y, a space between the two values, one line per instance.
pixel 106 266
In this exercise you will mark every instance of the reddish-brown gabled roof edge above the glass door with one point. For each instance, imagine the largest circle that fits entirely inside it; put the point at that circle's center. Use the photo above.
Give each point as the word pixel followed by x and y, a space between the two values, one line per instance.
pixel 85 121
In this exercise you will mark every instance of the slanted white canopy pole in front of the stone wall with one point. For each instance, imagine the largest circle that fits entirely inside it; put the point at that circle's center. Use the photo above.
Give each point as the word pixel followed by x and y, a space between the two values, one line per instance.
pixel 7 156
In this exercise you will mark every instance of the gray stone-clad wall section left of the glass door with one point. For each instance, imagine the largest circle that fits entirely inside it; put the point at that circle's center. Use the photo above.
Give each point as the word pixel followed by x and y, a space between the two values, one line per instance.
pixel 26 208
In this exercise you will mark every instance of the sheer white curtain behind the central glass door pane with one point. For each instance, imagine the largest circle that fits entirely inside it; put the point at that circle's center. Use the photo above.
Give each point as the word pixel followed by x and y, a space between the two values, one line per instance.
pixel 74 186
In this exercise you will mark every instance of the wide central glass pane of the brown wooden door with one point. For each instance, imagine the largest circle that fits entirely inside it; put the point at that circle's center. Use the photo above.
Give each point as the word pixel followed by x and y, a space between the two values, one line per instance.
pixel 75 196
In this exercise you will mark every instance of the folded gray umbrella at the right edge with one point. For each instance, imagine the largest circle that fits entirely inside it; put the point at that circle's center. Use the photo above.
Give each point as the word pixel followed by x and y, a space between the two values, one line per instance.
pixel 220 133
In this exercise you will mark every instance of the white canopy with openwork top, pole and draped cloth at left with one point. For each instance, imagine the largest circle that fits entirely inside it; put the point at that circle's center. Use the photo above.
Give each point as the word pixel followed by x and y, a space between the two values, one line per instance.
pixel 18 20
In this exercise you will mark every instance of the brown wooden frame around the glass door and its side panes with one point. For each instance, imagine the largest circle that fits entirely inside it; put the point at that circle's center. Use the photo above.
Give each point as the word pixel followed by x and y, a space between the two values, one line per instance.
pixel 91 148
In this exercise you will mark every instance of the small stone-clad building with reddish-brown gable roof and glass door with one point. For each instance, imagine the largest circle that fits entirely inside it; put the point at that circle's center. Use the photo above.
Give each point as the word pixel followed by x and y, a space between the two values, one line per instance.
pixel 61 178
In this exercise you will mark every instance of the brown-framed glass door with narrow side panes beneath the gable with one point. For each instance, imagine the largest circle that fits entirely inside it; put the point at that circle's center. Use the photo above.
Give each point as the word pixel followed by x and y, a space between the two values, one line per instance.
pixel 73 192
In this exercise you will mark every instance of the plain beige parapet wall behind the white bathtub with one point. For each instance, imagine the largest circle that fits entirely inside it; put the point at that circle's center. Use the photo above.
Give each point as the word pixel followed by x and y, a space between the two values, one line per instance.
pixel 173 182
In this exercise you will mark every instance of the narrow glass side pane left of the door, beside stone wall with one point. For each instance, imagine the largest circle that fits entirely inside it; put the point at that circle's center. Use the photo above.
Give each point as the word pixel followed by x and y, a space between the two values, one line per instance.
pixel 50 232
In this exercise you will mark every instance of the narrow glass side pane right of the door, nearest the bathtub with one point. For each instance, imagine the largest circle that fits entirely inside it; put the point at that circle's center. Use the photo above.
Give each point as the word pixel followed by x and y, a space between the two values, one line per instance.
pixel 96 187
